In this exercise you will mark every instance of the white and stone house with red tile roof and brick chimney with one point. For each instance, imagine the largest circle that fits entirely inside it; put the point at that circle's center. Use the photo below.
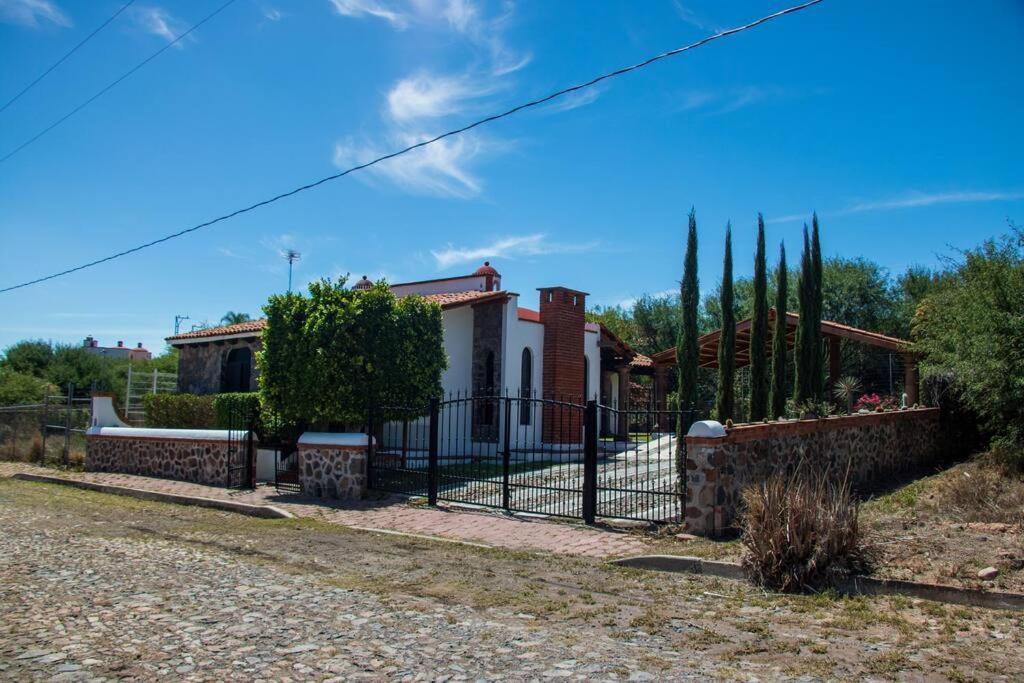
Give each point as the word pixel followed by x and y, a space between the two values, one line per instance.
pixel 494 346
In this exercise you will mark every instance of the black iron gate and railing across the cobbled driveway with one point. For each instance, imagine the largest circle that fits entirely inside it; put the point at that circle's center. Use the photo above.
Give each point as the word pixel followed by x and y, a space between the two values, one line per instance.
pixel 533 455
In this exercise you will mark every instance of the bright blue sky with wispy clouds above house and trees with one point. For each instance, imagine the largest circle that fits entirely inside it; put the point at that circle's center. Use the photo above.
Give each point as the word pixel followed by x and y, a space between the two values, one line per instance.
pixel 899 122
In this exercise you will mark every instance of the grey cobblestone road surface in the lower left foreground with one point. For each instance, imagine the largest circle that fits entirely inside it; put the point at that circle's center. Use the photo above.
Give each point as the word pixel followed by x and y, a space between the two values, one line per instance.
pixel 81 608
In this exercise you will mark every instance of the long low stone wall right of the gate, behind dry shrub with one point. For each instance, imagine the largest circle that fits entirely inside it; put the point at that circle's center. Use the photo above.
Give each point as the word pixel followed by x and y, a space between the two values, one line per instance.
pixel 870 447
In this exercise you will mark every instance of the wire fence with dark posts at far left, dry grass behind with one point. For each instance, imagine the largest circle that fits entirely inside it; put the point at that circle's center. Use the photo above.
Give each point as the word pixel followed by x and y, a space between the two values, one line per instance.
pixel 50 434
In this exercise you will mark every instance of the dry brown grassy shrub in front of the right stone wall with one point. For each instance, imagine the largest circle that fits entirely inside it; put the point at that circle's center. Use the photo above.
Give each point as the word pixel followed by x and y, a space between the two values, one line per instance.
pixel 801 530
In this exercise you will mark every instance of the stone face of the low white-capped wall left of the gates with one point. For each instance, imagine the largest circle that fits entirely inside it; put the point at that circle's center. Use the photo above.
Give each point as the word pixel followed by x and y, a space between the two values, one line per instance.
pixel 185 460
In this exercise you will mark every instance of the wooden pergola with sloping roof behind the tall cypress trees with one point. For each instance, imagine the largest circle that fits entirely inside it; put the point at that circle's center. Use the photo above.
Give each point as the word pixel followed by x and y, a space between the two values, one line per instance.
pixel 834 334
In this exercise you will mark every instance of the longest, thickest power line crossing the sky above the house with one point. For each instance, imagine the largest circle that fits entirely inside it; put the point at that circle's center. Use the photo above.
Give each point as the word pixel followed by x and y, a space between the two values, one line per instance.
pixel 457 132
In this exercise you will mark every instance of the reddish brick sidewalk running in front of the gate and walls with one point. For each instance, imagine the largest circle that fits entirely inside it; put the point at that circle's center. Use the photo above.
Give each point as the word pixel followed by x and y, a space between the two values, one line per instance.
pixel 393 515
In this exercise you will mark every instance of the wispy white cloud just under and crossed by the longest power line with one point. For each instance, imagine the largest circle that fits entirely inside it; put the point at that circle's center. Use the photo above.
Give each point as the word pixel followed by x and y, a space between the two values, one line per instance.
pixel 442 169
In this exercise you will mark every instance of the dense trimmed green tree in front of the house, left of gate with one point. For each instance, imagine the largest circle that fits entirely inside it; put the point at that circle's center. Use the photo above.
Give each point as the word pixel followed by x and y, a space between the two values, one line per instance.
pixel 328 357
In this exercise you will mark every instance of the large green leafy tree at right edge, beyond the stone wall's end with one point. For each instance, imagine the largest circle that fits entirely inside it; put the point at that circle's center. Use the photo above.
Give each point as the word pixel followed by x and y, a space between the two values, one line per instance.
pixel 972 327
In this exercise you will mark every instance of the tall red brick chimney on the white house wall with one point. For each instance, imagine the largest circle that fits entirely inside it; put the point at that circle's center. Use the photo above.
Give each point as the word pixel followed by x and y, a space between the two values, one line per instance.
pixel 563 318
